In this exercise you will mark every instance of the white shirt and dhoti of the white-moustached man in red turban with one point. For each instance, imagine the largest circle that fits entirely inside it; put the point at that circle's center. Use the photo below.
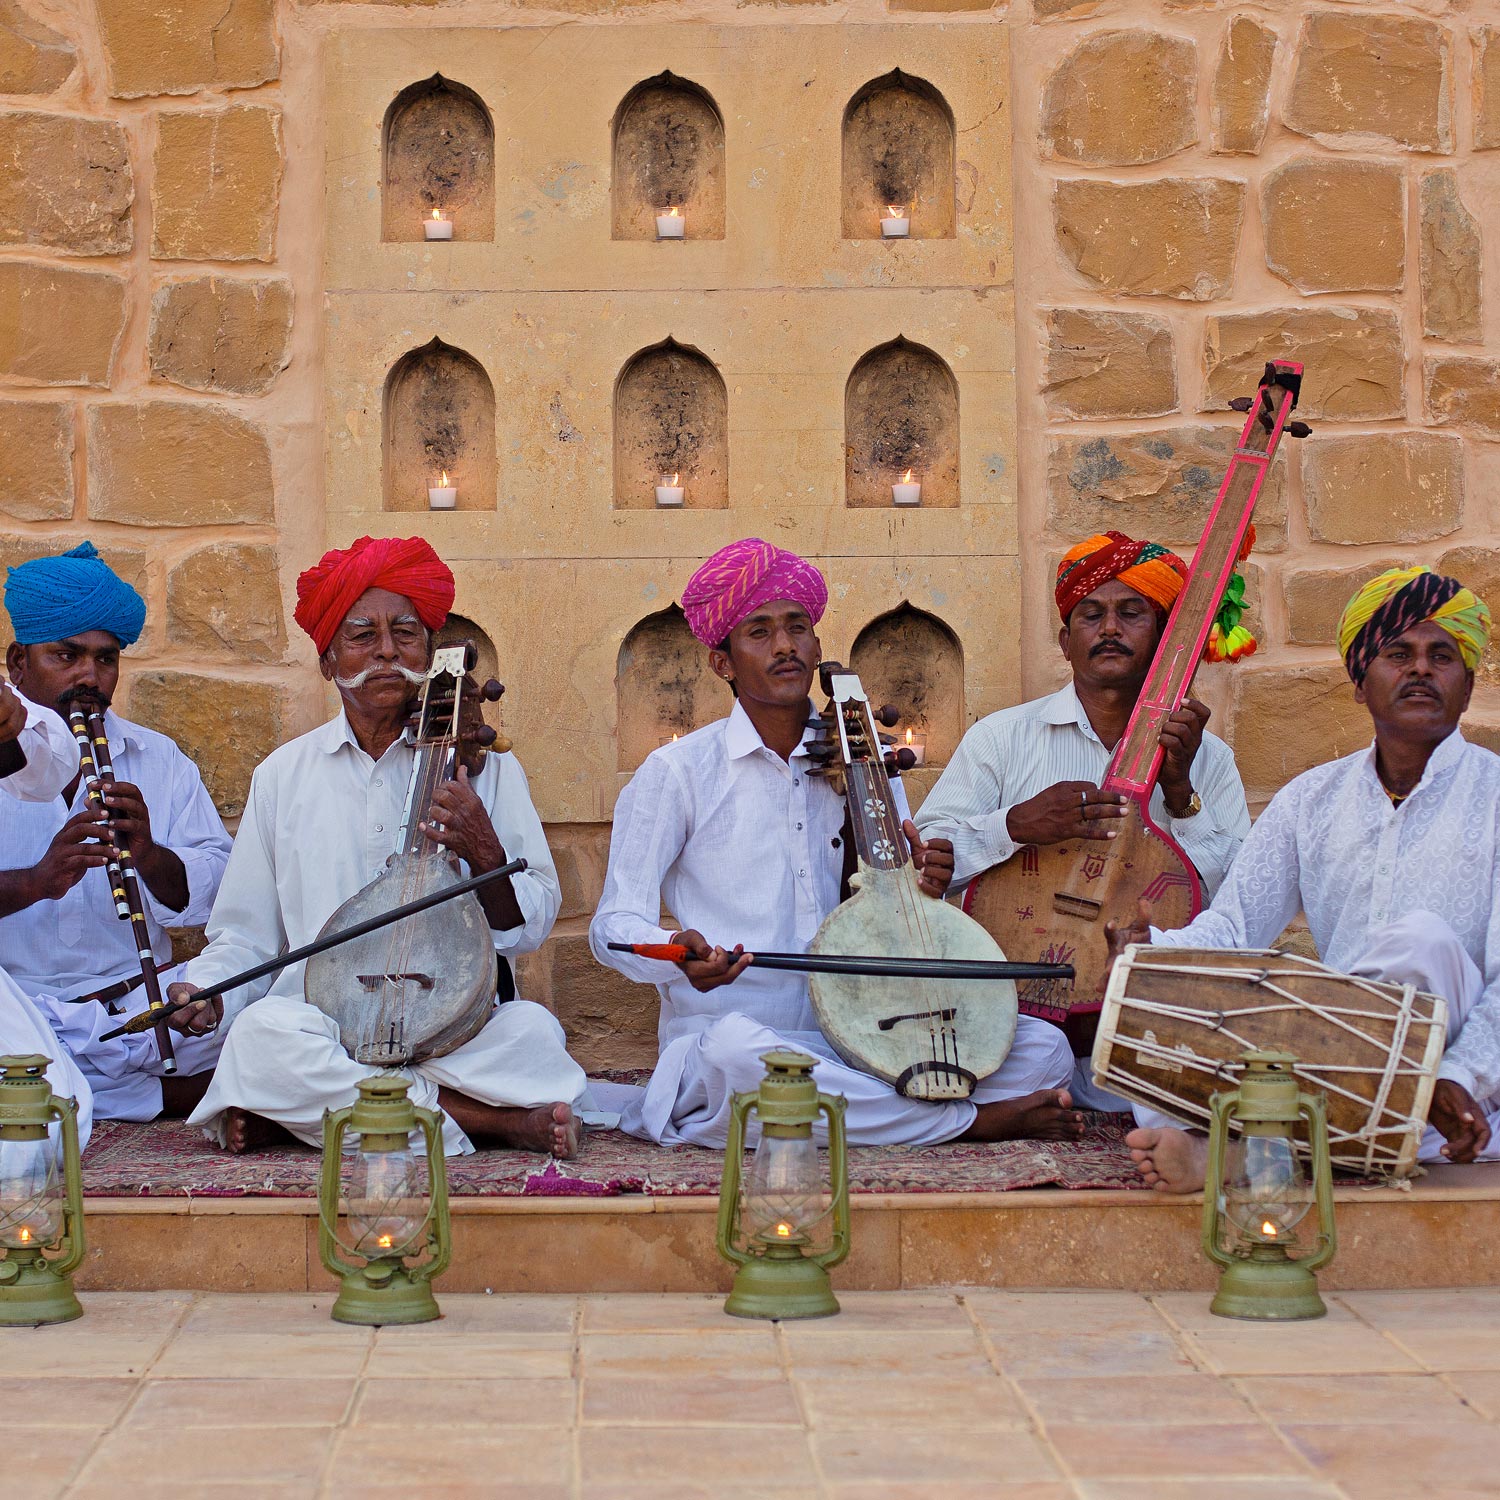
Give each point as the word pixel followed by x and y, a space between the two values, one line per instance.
pixel 320 823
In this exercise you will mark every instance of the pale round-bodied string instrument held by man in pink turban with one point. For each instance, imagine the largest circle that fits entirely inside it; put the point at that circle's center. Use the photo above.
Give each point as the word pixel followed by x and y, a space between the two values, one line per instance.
pixel 934 1039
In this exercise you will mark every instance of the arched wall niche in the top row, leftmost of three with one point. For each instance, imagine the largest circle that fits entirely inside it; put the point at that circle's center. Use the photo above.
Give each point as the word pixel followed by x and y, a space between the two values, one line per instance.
pixel 439 154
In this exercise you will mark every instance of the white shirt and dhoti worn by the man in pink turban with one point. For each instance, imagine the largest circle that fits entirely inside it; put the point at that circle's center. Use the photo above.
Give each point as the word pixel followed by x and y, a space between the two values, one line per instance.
pixel 746 848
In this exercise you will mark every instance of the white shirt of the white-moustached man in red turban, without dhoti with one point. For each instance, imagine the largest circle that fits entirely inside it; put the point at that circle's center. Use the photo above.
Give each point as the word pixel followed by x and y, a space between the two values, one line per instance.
pixel 320 823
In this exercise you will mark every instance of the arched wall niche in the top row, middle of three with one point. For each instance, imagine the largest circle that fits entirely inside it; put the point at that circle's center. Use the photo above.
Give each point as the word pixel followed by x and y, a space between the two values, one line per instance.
pixel 670 151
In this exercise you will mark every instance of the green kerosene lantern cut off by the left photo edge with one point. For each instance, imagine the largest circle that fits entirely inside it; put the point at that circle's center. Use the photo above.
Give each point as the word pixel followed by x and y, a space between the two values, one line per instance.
pixel 41 1207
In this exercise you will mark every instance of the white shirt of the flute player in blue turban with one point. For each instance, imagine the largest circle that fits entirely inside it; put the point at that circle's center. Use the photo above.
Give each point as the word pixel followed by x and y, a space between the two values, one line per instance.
pixel 79 944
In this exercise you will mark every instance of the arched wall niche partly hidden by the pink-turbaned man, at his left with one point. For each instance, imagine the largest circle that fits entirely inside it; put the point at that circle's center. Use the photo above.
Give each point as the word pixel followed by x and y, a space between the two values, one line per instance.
pixel 664 686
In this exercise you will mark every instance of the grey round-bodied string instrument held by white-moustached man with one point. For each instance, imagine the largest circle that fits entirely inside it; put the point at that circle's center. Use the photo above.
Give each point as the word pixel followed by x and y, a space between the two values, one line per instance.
pixel 425 985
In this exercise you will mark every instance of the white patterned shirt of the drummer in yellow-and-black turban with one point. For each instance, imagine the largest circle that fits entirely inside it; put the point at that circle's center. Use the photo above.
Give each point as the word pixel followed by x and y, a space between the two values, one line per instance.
pixel 1333 845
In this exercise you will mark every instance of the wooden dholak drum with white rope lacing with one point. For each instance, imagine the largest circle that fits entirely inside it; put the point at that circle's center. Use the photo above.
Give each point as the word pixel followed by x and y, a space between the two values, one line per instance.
pixel 1177 1022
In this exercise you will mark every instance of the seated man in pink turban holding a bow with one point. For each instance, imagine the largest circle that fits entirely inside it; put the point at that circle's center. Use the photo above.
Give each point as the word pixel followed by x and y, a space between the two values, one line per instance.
pixel 730 832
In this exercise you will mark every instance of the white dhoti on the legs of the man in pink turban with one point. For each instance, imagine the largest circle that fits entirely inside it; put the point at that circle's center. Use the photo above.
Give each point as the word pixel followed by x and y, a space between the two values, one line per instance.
pixel 697 1078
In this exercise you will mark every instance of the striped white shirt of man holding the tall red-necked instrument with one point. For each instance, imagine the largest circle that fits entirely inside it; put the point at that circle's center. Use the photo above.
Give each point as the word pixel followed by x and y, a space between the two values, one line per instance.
pixel 1010 757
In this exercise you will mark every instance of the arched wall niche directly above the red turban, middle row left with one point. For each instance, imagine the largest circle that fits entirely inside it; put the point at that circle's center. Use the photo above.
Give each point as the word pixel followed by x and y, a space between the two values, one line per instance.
pixel 439 415
